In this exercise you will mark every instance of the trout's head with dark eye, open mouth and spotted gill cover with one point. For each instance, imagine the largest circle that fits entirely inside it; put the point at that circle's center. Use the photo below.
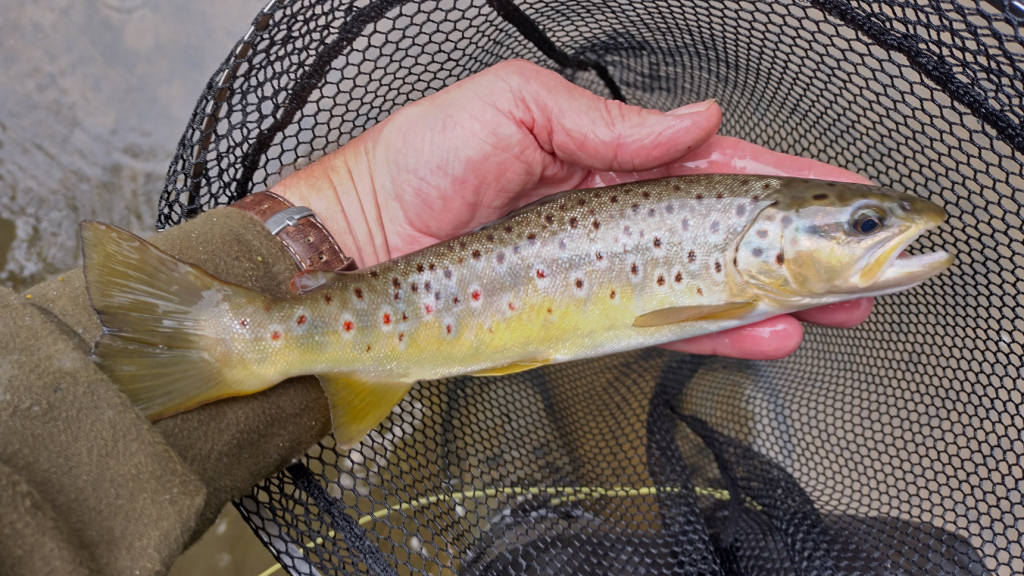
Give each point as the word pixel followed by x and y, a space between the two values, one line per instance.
pixel 826 242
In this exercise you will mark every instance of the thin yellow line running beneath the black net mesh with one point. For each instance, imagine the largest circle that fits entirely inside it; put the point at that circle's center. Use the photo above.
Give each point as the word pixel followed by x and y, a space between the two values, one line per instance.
pixel 570 493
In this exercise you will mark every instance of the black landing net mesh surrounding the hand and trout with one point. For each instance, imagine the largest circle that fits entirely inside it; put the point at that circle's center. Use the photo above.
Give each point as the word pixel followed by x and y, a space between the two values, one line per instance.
pixel 894 448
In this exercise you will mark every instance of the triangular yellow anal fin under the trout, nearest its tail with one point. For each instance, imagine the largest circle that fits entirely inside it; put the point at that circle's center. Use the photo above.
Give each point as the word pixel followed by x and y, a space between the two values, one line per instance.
pixel 357 406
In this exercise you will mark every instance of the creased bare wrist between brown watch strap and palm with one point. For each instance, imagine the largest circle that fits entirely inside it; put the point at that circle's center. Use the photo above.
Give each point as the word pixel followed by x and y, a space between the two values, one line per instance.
pixel 339 190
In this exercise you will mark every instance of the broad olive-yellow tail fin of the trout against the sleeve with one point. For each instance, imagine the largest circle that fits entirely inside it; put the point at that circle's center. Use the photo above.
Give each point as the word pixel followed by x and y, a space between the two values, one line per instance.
pixel 157 345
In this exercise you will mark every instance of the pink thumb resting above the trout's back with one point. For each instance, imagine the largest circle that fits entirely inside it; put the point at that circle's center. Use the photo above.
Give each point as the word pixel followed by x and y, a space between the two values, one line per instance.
pixel 580 128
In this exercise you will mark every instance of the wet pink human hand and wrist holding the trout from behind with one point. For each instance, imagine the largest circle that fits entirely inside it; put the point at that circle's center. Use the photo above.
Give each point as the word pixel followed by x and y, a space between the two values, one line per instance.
pixel 511 135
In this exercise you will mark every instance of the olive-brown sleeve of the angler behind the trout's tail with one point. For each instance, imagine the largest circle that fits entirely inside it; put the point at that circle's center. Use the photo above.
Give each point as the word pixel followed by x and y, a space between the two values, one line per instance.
pixel 88 484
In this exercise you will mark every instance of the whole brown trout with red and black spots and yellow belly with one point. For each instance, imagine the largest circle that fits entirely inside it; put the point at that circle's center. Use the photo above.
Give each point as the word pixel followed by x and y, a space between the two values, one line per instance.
pixel 577 275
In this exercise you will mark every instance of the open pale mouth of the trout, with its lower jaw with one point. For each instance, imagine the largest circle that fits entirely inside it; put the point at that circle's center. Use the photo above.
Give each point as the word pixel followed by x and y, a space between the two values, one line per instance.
pixel 894 270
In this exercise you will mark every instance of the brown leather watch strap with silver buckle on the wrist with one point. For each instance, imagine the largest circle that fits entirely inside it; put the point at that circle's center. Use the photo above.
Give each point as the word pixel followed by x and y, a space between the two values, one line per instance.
pixel 311 244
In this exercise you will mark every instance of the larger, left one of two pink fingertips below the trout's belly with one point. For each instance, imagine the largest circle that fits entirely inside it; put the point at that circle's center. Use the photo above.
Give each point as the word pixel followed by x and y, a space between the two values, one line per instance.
pixel 769 340
